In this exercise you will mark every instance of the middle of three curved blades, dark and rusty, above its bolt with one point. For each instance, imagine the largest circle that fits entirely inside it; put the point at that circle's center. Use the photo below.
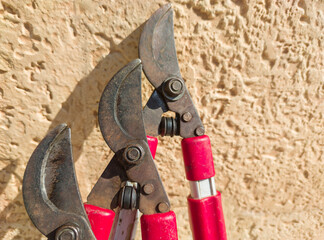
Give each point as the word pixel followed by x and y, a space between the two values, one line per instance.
pixel 120 108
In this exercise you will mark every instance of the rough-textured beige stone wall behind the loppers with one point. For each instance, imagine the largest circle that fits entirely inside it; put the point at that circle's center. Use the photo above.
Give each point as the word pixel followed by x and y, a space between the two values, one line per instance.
pixel 254 69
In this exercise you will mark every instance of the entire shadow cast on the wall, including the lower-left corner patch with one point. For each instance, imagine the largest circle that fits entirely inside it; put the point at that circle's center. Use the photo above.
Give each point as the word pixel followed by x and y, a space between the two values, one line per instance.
pixel 80 112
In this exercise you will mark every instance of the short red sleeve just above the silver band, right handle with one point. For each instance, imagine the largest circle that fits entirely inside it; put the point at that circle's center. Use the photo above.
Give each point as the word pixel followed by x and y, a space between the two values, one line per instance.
pixel 198 158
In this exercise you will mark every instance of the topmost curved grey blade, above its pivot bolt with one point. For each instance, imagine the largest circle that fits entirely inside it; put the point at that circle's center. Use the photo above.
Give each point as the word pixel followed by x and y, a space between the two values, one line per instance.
pixel 157 47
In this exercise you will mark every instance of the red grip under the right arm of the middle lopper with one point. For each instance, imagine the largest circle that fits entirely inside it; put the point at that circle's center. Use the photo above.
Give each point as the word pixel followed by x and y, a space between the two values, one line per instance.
pixel 159 226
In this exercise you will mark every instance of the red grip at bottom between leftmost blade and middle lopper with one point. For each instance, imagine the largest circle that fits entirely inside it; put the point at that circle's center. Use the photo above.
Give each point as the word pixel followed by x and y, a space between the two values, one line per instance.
pixel 101 220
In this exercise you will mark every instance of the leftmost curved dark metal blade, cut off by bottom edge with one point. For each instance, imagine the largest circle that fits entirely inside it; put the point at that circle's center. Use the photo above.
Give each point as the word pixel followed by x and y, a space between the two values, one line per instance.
pixel 50 191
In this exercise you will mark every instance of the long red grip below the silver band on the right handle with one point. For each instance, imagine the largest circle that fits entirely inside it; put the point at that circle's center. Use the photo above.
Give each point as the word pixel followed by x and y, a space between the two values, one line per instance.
pixel 206 218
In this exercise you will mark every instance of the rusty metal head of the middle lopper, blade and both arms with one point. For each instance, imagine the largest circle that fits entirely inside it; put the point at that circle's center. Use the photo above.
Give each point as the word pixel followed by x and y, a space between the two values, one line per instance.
pixel 122 126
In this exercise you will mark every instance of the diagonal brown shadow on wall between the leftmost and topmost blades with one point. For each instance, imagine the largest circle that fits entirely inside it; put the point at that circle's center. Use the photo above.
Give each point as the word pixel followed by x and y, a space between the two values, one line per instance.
pixel 80 110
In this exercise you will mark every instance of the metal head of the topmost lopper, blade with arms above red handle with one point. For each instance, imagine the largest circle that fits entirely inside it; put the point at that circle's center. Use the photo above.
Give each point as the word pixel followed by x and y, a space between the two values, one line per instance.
pixel 160 64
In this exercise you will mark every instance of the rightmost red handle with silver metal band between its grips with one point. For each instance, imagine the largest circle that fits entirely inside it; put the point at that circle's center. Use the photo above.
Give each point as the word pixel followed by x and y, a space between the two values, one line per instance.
pixel 205 212
